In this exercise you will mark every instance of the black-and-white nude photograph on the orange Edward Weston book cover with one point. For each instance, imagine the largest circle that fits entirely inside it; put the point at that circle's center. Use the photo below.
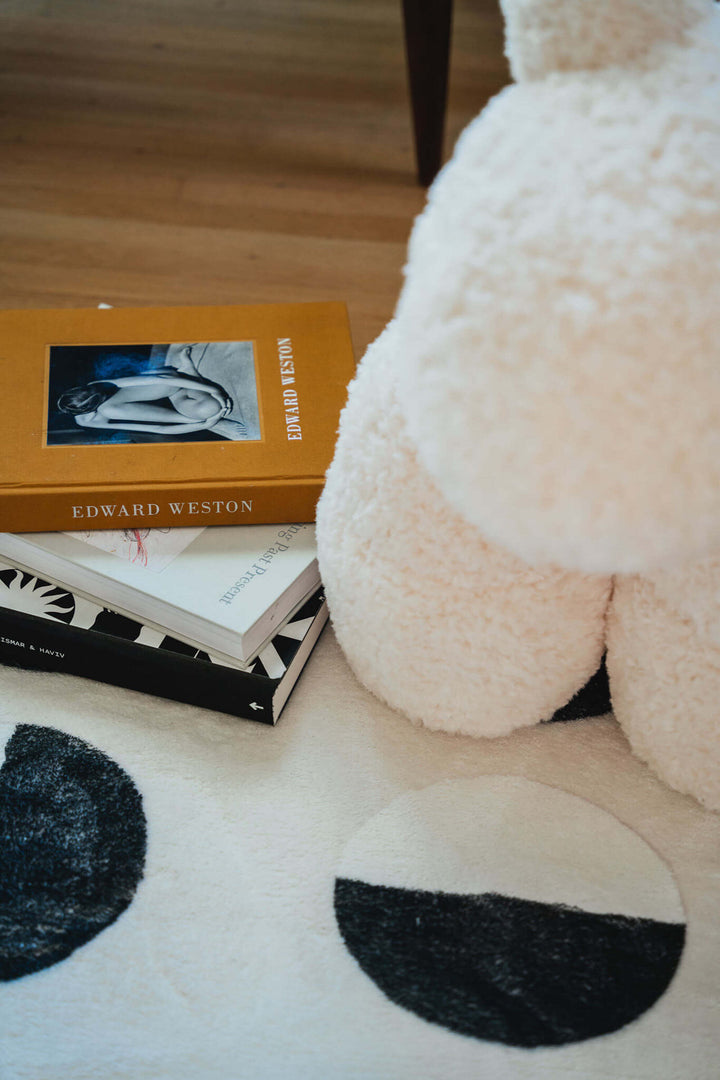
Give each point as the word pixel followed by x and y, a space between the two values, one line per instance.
pixel 153 394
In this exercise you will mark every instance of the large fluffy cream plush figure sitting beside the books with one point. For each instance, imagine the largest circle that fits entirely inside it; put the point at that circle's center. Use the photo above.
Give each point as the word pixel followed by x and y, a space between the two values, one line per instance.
pixel 528 468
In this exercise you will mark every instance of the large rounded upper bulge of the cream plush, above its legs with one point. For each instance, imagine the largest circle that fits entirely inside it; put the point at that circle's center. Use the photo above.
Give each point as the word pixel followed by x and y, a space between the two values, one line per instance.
pixel 560 326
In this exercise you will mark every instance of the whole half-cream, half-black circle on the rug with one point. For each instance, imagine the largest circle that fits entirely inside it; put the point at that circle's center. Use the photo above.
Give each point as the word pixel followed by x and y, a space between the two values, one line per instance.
pixel 510 912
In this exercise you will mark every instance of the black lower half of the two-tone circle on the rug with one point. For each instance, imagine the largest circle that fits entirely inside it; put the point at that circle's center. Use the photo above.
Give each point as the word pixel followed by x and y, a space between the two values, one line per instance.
pixel 508 970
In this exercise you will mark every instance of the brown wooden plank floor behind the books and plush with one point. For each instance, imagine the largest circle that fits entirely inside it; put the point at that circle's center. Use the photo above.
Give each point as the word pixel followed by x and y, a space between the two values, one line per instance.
pixel 218 152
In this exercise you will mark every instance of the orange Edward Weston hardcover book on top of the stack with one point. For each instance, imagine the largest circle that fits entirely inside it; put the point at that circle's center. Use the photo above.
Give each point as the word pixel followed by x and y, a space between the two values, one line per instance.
pixel 169 416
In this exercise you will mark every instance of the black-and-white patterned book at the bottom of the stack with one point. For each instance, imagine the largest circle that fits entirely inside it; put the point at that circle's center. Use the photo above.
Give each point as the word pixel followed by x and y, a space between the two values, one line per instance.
pixel 45 627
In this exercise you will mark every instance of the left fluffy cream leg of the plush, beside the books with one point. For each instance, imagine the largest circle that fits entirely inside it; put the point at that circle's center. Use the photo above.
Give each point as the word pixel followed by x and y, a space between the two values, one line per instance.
pixel 452 631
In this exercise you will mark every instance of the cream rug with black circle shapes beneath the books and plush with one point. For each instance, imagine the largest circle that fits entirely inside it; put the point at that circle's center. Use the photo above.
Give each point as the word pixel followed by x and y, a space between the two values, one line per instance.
pixel 188 896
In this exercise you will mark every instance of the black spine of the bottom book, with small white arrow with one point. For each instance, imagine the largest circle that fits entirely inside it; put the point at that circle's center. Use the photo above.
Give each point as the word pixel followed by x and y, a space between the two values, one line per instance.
pixel 37 644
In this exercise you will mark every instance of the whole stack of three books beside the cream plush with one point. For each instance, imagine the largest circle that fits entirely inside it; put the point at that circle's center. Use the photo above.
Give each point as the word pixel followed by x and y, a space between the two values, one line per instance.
pixel 173 460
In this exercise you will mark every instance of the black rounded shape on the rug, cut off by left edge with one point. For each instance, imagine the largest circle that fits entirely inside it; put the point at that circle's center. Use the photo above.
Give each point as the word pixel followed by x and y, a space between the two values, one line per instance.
pixel 73 840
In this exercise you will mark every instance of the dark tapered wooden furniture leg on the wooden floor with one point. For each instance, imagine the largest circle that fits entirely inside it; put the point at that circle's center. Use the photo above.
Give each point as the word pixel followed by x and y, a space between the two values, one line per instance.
pixel 428 25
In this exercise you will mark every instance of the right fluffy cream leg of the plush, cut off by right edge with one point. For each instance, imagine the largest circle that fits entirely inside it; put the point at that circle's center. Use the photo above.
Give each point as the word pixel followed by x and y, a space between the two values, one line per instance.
pixel 664 668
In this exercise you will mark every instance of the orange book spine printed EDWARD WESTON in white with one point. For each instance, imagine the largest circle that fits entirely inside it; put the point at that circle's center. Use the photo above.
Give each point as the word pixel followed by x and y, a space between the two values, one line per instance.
pixel 244 503
